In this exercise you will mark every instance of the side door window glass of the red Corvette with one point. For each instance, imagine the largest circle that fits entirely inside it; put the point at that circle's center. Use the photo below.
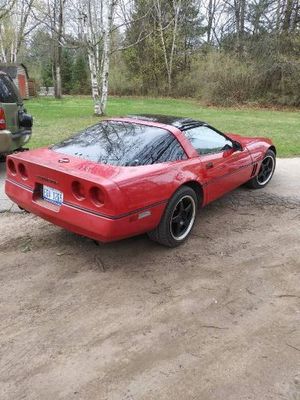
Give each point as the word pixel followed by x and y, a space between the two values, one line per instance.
pixel 206 141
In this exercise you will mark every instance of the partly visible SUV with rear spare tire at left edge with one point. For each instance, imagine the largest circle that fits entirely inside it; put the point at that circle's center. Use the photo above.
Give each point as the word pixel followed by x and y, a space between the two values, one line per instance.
pixel 15 123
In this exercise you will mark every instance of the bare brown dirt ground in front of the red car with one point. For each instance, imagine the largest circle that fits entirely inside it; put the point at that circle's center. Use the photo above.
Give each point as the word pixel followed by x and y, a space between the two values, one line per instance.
pixel 216 319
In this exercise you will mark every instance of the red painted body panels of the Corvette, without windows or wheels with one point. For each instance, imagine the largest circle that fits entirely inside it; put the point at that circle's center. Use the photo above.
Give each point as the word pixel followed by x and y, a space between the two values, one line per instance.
pixel 133 198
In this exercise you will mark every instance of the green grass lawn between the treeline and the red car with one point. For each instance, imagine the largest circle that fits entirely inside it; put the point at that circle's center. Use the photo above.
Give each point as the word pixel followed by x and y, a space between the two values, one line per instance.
pixel 57 119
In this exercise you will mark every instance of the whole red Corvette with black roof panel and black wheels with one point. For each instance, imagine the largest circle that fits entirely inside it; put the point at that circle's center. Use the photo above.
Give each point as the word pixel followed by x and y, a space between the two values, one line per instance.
pixel 126 176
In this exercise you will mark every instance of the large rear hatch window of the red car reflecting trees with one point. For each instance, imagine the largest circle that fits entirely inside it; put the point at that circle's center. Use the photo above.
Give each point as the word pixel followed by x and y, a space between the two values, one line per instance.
pixel 123 144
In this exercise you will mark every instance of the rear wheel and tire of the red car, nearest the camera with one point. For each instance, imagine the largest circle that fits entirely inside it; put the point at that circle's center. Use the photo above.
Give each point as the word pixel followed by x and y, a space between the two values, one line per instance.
pixel 178 219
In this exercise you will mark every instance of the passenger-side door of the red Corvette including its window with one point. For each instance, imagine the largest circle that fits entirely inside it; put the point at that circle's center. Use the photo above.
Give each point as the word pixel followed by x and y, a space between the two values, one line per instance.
pixel 225 165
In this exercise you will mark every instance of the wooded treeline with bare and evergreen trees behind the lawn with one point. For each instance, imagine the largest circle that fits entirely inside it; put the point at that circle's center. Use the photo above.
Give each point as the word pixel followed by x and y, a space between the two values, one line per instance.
pixel 221 51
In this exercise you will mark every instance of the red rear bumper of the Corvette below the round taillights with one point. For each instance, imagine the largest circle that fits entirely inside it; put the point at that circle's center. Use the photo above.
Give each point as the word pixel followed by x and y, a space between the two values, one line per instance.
pixel 84 222
